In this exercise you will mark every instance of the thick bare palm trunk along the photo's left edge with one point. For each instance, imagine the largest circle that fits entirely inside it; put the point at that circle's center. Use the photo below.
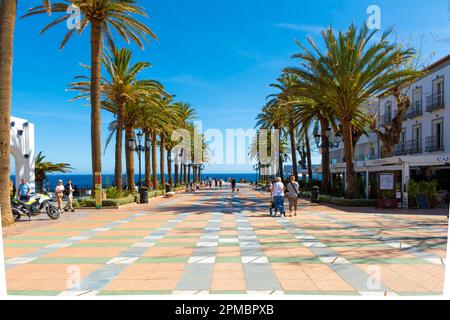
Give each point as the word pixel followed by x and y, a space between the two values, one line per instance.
pixel 7 26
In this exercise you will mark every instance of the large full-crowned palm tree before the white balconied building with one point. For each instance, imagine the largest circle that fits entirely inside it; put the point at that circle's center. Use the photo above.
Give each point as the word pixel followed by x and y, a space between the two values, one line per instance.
pixel 354 68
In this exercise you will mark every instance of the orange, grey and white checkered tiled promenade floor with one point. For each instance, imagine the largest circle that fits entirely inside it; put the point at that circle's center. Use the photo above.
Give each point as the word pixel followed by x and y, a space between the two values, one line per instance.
pixel 213 242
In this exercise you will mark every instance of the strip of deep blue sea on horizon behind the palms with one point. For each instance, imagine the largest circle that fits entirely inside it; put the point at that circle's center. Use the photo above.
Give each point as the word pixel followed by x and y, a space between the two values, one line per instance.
pixel 85 180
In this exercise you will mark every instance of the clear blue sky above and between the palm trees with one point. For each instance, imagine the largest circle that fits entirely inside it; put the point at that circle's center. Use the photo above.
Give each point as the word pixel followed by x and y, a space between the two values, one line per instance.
pixel 220 56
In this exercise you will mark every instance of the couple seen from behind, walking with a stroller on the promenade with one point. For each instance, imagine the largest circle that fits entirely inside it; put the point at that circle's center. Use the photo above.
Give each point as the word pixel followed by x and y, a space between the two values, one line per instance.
pixel 279 191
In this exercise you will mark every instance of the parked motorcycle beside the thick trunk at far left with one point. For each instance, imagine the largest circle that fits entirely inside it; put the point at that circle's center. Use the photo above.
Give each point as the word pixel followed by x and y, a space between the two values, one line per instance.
pixel 38 204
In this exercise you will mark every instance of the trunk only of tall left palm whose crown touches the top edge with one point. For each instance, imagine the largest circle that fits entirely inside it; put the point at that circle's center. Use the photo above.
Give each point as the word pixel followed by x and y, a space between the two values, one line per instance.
pixel 96 62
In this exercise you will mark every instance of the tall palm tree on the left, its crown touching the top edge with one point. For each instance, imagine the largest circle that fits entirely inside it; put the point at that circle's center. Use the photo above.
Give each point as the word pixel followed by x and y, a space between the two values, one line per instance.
pixel 104 16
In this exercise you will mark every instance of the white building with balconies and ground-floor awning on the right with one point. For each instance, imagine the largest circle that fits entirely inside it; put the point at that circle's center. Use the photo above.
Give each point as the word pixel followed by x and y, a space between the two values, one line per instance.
pixel 424 148
